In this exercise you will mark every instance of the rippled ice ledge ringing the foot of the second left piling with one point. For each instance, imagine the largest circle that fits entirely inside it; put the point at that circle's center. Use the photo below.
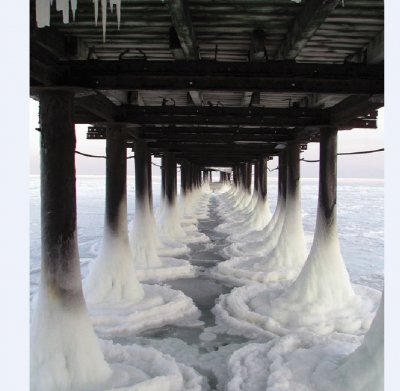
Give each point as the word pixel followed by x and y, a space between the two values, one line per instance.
pixel 160 306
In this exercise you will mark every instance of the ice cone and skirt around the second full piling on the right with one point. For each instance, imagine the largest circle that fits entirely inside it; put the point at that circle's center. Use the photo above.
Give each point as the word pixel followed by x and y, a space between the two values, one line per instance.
pixel 275 253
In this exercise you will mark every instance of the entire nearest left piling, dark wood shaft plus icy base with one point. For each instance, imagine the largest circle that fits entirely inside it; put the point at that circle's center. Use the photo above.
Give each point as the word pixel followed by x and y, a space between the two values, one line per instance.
pixel 60 320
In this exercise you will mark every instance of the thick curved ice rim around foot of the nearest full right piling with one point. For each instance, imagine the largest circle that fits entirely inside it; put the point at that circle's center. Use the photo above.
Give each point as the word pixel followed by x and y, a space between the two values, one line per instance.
pixel 258 310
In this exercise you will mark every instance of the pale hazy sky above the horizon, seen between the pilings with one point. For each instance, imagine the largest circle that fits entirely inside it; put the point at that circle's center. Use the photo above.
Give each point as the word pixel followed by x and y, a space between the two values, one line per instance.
pixel 358 166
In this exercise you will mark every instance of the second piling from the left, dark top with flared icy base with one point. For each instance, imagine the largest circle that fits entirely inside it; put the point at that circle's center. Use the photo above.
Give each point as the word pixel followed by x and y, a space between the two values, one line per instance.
pixel 112 277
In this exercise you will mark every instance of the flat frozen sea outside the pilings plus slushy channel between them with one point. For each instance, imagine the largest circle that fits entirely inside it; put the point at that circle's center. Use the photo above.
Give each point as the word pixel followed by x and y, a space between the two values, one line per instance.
pixel 360 222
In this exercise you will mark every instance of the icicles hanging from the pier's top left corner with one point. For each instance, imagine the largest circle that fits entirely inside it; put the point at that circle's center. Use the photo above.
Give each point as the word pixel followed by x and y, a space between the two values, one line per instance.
pixel 43 11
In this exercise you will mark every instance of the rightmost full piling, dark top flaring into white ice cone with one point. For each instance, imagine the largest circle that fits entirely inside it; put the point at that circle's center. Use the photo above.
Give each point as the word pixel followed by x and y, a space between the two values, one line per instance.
pixel 332 288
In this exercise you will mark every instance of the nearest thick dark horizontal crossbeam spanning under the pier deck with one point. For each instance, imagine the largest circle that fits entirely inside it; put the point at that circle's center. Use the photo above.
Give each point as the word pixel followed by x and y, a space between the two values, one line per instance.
pixel 276 76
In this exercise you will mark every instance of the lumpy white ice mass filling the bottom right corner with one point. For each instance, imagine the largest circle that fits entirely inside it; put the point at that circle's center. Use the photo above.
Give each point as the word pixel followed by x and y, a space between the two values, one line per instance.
pixel 304 361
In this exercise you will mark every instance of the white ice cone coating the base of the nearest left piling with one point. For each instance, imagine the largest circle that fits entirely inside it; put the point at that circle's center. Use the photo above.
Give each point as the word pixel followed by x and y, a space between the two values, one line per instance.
pixel 65 354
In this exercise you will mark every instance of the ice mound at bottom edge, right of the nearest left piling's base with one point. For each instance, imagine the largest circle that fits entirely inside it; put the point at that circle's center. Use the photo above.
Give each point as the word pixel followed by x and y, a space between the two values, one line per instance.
pixel 138 368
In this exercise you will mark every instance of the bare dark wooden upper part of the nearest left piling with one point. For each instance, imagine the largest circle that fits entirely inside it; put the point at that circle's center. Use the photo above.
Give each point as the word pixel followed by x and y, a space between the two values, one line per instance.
pixel 60 256
